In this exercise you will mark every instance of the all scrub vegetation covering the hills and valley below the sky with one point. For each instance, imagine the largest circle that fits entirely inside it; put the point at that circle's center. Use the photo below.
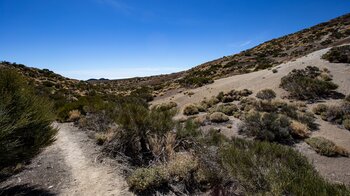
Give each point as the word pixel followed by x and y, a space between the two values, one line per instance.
pixel 167 155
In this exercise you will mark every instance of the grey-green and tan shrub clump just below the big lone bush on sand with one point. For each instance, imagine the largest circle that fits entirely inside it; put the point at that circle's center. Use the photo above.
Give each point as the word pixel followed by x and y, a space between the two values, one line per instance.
pixel 275 120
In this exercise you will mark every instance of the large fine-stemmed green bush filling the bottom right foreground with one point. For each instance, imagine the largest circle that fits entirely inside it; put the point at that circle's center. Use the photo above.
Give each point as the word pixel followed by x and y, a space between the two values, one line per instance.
pixel 270 169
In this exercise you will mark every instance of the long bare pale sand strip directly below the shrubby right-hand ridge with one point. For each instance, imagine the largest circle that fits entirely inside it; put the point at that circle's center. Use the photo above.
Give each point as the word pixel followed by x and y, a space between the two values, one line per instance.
pixel 256 81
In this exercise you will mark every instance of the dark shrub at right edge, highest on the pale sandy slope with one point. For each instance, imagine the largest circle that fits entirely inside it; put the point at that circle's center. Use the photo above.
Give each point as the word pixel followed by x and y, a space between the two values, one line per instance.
pixel 340 54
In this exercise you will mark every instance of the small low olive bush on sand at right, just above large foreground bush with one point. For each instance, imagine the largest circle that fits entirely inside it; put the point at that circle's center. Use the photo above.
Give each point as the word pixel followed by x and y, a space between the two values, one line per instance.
pixel 326 147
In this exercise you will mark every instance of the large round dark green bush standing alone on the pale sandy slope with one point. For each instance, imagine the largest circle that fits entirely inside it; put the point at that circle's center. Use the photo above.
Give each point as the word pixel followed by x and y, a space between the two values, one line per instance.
pixel 306 84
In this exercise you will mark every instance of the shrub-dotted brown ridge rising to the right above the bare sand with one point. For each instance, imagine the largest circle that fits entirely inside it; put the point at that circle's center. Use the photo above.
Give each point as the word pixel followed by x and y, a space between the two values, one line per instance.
pixel 276 51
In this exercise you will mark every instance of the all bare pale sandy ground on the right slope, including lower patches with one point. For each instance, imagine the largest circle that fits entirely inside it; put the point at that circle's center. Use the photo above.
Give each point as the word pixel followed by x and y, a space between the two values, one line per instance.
pixel 335 169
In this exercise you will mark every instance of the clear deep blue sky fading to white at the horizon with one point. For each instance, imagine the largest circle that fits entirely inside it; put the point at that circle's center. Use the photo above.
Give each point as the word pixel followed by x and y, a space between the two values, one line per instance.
pixel 123 38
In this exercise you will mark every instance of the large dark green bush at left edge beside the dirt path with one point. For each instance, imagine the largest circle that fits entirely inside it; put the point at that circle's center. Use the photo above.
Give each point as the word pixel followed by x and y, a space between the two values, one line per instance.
pixel 25 120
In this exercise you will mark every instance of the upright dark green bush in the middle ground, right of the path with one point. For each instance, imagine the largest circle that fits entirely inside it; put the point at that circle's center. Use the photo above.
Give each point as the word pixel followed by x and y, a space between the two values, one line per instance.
pixel 137 123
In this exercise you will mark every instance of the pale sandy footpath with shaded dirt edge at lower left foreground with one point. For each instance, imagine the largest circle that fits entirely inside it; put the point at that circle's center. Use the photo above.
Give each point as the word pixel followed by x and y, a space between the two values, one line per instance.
pixel 71 166
